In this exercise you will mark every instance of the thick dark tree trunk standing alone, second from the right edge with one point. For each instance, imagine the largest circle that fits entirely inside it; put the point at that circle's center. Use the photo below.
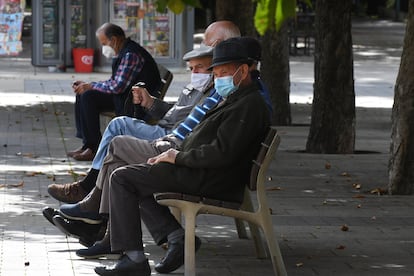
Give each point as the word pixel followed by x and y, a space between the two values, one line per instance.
pixel 332 127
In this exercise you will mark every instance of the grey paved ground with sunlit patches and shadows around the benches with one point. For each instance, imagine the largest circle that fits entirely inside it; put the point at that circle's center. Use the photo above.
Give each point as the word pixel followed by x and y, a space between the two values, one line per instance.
pixel 313 198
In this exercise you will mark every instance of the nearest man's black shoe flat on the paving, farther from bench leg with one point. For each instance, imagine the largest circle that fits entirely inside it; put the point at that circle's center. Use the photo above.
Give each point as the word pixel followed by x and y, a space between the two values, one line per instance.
pixel 125 267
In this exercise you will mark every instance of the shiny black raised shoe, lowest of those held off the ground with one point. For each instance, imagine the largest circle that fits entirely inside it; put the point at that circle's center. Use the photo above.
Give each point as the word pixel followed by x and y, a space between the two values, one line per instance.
pixel 87 234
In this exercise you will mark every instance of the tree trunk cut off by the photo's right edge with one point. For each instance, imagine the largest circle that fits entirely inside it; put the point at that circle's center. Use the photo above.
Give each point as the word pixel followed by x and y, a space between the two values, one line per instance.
pixel 401 165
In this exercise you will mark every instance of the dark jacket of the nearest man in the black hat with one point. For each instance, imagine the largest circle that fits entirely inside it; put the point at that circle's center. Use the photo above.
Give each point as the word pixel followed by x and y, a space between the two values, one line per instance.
pixel 215 159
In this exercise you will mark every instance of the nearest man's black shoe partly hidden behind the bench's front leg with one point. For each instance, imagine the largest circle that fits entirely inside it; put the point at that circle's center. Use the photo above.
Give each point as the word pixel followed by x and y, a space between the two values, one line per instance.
pixel 174 258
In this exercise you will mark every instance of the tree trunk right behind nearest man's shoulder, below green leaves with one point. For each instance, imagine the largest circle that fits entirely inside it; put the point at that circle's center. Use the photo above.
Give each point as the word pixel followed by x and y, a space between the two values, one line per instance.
pixel 275 72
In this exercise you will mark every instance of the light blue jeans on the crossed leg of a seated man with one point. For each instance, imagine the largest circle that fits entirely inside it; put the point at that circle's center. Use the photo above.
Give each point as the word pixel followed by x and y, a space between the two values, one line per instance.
pixel 124 125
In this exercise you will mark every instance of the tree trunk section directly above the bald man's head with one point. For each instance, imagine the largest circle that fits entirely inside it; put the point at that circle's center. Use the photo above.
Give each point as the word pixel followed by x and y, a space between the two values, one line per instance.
pixel 241 12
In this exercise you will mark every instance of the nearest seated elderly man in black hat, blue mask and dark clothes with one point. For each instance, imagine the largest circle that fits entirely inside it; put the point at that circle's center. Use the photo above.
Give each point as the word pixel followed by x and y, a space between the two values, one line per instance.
pixel 213 161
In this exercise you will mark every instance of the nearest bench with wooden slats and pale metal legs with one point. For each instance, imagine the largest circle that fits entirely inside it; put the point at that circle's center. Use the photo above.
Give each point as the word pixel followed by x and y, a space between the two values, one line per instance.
pixel 191 206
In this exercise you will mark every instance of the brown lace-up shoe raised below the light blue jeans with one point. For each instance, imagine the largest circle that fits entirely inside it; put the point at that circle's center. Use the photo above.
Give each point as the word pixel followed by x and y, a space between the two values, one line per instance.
pixel 68 193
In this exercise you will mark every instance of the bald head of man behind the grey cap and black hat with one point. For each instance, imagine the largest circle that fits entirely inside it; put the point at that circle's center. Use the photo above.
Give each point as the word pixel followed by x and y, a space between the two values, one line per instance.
pixel 219 31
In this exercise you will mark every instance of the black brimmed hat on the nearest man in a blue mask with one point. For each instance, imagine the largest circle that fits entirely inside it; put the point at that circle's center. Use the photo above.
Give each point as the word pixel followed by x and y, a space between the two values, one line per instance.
pixel 230 51
